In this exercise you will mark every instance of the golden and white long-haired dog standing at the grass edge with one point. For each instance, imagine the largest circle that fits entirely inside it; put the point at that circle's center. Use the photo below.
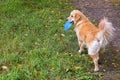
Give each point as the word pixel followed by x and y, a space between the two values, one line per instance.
pixel 94 38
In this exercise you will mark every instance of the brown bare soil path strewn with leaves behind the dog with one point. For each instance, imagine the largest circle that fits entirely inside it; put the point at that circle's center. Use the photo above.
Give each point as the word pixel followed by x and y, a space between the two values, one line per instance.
pixel 96 10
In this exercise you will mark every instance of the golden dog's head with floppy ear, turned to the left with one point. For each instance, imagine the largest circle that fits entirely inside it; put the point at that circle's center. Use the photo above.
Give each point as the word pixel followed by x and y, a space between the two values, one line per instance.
pixel 75 16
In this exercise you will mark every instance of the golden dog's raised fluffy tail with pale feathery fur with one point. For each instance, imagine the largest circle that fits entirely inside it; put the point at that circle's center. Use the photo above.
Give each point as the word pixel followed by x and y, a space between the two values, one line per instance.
pixel 106 32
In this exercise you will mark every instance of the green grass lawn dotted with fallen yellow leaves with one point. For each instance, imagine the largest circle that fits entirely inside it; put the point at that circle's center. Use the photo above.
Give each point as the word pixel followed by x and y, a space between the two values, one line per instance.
pixel 34 46
